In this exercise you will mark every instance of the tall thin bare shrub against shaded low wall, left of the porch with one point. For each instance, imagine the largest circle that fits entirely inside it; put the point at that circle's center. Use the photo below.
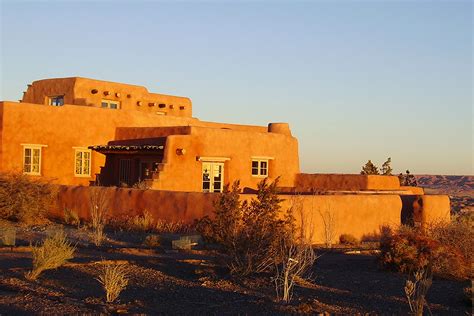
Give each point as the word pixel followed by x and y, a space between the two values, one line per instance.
pixel 98 211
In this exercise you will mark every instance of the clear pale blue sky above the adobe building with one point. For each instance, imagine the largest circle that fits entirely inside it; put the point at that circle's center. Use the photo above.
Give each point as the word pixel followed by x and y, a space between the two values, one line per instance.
pixel 356 80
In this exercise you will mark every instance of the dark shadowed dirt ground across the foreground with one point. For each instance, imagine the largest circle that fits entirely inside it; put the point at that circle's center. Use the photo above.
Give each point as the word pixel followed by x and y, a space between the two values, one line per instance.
pixel 166 281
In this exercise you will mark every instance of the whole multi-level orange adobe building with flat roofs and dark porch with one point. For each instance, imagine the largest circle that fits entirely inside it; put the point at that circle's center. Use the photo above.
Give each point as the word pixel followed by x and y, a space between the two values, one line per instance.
pixel 81 132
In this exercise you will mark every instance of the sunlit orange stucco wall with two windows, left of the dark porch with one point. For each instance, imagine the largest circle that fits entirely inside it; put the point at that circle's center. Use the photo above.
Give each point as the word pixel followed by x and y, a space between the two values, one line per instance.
pixel 61 129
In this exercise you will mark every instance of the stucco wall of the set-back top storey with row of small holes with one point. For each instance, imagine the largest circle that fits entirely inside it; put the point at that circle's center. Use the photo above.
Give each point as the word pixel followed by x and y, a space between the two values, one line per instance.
pixel 77 91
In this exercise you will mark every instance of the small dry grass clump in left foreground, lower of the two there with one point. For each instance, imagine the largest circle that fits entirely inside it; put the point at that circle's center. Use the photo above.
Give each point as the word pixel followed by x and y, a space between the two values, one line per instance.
pixel 114 280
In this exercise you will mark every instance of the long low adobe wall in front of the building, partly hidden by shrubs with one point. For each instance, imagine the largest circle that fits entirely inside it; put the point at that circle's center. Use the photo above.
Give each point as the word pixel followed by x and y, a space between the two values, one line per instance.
pixel 358 215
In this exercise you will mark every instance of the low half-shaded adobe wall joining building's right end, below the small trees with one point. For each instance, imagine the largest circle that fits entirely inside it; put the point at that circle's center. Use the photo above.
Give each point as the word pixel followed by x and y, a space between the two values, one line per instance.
pixel 306 182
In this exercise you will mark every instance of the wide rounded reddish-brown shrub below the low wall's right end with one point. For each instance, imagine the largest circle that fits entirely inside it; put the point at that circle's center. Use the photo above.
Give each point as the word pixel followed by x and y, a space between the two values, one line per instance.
pixel 410 249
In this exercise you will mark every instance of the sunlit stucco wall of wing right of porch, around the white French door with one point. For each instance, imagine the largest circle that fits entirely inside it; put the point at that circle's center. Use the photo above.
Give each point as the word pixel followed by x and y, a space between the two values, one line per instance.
pixel 184 172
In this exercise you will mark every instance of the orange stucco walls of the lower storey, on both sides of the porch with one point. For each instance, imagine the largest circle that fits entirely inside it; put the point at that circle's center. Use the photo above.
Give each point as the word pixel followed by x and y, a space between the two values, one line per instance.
pixel 65 127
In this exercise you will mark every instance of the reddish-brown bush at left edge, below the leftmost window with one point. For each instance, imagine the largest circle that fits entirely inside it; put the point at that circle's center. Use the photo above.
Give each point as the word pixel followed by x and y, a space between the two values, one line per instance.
pixel 25 199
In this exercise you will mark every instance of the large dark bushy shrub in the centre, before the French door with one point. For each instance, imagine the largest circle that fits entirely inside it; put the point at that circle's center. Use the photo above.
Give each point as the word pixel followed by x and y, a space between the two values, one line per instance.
pixel 249 233
